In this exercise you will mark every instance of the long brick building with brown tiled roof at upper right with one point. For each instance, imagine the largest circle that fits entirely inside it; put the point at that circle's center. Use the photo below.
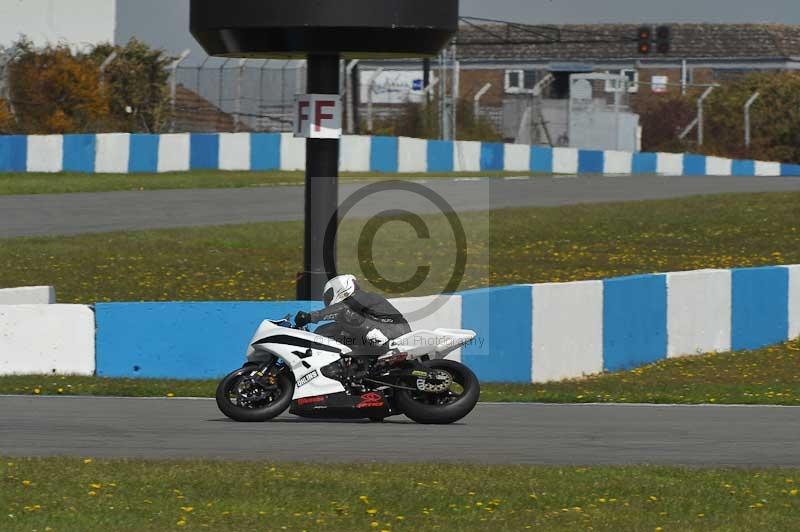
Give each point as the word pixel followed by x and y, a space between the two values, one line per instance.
pixel 700 54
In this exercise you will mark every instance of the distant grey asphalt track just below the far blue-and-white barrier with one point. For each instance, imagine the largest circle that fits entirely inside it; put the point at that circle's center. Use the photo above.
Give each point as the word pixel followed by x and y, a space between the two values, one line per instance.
pixel 68 214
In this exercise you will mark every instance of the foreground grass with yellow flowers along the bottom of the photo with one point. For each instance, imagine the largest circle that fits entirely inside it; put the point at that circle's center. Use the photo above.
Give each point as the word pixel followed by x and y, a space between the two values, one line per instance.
pixel 87 495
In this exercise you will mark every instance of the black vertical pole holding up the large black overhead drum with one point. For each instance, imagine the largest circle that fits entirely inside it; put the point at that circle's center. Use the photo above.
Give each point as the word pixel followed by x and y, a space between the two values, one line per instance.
pixel 322 182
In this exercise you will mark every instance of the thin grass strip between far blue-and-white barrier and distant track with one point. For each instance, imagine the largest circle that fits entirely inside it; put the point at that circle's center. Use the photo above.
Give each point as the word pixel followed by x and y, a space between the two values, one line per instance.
pixel 64 183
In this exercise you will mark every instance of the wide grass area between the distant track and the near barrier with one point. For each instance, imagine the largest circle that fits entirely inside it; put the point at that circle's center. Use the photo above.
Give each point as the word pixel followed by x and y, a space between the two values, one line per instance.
pixel 260 261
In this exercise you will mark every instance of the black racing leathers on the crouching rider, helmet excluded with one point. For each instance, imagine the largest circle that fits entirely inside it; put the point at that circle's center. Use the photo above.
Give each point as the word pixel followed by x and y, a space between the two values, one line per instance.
pixel 363 319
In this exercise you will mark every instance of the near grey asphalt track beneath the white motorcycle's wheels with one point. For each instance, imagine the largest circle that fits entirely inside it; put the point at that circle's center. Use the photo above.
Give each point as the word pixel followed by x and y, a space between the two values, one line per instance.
pixel 493 433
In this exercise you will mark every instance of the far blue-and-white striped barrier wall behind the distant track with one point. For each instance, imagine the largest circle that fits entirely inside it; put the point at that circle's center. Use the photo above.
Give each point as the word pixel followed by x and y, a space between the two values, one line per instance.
pixel 271 151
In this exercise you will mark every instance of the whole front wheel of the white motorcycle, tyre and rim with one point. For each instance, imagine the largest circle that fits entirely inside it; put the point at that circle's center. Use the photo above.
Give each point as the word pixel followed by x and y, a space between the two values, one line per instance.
pixel 246 396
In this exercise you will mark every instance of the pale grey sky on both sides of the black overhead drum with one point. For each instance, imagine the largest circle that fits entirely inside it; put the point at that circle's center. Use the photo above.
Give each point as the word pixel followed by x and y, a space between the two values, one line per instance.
pixel 165 23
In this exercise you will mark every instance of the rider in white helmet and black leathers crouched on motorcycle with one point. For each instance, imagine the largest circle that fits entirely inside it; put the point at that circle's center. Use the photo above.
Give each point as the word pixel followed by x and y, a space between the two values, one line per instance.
pixel 359 318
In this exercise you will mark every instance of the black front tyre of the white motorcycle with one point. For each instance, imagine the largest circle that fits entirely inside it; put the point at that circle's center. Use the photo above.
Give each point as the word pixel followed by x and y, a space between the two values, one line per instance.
pixel 270 408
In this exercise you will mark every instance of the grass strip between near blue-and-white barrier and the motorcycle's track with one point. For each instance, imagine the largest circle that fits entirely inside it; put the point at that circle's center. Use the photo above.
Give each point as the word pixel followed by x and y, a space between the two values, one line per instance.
pixel 765 376
